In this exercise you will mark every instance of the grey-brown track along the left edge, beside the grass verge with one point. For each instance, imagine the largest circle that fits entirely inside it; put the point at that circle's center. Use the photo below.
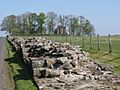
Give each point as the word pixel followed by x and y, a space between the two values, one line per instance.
pixel 5 83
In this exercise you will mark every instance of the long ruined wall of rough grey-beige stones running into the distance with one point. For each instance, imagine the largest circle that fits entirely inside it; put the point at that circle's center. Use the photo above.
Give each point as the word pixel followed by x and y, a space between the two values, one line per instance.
pixel 61 66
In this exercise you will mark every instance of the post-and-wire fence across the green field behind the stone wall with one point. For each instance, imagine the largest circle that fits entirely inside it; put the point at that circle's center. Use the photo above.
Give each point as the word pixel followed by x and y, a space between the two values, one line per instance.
pixel 97 43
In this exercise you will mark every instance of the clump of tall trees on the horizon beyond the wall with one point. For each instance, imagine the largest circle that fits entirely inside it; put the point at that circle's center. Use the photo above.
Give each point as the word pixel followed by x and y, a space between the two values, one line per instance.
pixel 47 24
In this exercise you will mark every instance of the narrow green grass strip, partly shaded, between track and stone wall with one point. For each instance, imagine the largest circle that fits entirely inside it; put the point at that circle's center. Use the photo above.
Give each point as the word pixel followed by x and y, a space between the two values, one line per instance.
pixel 22 78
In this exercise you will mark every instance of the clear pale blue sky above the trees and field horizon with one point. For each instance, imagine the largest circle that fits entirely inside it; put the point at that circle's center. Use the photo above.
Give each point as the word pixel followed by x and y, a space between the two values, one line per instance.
pixel 103 14
